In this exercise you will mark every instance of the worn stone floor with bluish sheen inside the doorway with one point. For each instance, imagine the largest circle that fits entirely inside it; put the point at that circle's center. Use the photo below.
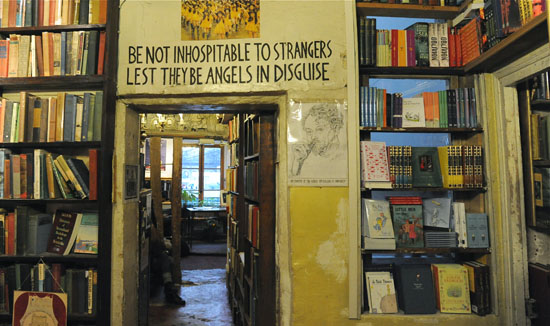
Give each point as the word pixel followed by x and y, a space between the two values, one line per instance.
pixel 203 289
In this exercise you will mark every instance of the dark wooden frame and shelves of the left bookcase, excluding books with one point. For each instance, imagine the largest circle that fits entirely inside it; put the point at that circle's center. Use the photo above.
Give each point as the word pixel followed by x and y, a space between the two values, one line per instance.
pixel 37 83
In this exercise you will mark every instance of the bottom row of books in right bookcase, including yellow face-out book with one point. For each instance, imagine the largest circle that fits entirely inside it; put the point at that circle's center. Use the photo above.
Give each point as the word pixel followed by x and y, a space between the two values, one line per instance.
pixel 424 289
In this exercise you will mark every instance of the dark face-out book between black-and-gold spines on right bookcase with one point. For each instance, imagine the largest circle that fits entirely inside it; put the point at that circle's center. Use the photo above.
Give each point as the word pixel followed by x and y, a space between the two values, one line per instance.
pixel 426 169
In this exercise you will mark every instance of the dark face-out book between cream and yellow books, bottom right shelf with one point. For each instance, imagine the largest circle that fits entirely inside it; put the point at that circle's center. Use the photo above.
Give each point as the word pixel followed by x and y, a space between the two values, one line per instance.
pixel 416 289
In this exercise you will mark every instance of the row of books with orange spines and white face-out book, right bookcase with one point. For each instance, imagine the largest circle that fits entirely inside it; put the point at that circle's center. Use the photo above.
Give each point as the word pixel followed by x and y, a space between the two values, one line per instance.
pixel 454 108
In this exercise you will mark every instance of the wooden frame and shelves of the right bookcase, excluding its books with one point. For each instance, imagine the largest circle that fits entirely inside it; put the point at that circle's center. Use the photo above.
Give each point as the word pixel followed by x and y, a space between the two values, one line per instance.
pixel 474 198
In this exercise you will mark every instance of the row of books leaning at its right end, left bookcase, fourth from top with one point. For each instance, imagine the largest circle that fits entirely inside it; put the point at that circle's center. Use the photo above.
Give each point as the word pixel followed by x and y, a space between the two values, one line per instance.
pixel 43 175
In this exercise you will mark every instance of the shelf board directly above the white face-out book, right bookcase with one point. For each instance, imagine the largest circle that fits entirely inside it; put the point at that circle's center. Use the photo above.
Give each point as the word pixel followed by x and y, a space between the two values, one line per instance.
pixel 409 72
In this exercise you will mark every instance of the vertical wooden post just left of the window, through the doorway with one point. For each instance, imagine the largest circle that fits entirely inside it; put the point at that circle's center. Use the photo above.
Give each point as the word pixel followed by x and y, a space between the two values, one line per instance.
pixel 176 211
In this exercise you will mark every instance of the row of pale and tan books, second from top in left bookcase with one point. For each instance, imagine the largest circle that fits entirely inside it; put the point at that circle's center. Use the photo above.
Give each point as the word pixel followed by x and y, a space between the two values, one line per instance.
pixel 53 54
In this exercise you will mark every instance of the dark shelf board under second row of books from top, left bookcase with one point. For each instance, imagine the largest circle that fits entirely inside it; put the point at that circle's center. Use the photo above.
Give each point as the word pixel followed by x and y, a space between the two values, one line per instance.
pixel 61 83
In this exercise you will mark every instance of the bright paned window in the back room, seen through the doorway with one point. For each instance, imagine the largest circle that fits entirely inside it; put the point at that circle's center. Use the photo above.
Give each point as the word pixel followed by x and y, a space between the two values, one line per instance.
pixel 201 173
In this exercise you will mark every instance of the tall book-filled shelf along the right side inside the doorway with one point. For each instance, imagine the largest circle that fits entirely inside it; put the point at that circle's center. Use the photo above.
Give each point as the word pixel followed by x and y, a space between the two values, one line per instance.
pixel 251 220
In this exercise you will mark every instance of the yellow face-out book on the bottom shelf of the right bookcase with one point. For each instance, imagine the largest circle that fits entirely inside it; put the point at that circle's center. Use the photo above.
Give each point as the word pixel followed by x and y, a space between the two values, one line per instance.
pixel 452 287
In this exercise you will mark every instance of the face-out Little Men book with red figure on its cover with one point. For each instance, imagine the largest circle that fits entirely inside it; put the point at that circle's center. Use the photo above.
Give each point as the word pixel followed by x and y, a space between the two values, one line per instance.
pixel 408 226
